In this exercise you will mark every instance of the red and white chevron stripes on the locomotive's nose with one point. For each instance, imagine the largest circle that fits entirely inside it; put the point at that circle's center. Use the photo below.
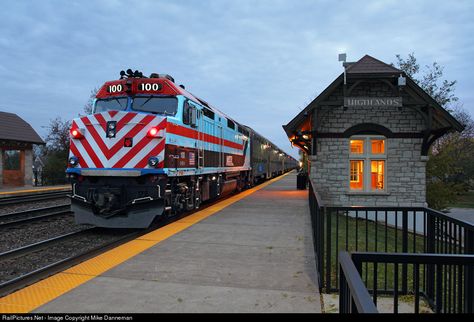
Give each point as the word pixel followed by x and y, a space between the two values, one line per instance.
pixel 95 150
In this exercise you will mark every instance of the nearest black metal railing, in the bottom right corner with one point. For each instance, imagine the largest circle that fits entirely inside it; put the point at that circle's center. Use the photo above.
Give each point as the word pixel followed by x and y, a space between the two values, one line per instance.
pixel 452 288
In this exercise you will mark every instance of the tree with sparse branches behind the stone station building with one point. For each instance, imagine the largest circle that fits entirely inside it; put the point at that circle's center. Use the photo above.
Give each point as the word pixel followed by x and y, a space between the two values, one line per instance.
pixel 450 169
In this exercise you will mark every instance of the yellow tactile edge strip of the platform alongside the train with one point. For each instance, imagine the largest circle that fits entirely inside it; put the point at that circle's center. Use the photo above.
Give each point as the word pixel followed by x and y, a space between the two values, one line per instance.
pixel 42 292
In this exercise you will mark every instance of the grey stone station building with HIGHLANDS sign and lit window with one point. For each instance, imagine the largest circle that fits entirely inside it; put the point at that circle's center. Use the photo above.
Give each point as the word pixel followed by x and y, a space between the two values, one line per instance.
pixel 367 137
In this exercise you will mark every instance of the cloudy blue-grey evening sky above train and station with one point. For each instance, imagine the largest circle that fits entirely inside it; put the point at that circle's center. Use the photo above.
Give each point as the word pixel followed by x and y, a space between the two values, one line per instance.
pixel 258 61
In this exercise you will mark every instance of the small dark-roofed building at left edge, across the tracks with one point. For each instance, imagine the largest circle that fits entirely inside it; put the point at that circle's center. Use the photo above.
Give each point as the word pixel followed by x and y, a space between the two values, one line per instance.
pixel 16 150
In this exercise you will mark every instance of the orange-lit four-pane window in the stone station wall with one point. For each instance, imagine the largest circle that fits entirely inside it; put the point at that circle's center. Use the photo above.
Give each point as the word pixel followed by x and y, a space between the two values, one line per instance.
pixel 367 164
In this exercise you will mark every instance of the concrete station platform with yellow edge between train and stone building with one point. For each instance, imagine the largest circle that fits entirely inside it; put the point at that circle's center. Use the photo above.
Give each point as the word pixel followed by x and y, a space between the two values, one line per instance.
pixel 251 252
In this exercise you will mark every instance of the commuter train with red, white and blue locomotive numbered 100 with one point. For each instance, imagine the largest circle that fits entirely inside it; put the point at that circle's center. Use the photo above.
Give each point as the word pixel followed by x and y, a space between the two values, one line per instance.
pixel 150 148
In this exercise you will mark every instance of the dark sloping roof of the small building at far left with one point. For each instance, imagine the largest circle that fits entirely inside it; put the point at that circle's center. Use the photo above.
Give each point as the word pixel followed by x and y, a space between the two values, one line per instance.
pixel 14 128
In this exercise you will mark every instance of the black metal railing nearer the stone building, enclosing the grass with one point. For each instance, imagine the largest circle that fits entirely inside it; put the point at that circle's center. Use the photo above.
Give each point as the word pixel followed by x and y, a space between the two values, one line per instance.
pixel 384 230
